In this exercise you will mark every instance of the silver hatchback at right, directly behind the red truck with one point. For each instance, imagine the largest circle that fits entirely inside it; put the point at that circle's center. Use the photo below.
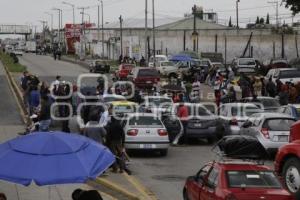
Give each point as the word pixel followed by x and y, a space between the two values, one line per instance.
pixel 271 129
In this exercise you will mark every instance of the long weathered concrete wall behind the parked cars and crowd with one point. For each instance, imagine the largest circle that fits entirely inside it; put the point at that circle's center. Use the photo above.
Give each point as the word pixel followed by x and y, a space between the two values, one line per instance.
pixel 172 42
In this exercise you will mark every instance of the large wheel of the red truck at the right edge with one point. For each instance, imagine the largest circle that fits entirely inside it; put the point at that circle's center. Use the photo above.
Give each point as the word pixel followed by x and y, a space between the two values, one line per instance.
pixel 291 176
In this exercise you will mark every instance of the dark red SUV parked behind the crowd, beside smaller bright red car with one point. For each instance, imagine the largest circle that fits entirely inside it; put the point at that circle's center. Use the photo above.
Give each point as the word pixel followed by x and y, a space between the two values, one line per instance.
pixel 144 77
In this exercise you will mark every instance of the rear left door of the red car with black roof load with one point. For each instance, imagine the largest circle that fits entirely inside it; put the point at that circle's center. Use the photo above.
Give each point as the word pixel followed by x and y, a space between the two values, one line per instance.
pixel 208 191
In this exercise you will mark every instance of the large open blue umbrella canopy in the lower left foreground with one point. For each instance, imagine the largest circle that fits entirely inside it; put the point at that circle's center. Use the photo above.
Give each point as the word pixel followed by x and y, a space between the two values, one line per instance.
pixel 49 158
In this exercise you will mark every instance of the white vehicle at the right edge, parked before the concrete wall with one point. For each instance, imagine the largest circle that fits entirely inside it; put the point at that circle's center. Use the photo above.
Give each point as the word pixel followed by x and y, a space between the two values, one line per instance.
pixel 284 75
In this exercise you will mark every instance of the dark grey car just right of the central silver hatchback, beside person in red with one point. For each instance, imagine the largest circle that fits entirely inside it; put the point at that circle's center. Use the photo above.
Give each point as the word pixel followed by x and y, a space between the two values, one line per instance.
pixel 202 124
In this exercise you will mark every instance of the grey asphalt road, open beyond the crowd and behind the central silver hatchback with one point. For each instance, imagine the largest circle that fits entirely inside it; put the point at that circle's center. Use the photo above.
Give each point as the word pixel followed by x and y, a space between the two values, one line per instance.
pixel 164 176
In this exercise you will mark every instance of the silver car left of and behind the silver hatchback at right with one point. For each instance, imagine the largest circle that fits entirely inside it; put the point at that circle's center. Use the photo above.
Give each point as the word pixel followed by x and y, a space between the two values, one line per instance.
pixel 233 115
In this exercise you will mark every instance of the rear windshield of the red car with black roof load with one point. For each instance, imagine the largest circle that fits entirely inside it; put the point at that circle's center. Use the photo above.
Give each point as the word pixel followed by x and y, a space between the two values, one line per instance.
pixel 252 179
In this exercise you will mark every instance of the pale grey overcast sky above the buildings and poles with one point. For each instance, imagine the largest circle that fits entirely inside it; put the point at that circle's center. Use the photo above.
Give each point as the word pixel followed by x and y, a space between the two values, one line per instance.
pixel 31 11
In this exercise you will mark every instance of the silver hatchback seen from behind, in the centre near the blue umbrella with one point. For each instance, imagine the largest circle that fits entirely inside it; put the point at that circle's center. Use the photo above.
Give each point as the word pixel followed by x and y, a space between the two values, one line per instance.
pixel 144 131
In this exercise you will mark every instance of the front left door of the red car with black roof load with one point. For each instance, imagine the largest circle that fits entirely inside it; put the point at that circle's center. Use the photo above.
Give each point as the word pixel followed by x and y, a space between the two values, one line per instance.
pixel 195 188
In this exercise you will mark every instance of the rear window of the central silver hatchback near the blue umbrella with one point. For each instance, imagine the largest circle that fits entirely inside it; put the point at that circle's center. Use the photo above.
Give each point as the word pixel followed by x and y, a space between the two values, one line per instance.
pixel 145 121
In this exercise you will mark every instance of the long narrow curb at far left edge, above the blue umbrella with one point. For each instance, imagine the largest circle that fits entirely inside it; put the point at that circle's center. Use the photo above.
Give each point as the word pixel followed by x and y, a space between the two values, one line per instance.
pixel 17 94
